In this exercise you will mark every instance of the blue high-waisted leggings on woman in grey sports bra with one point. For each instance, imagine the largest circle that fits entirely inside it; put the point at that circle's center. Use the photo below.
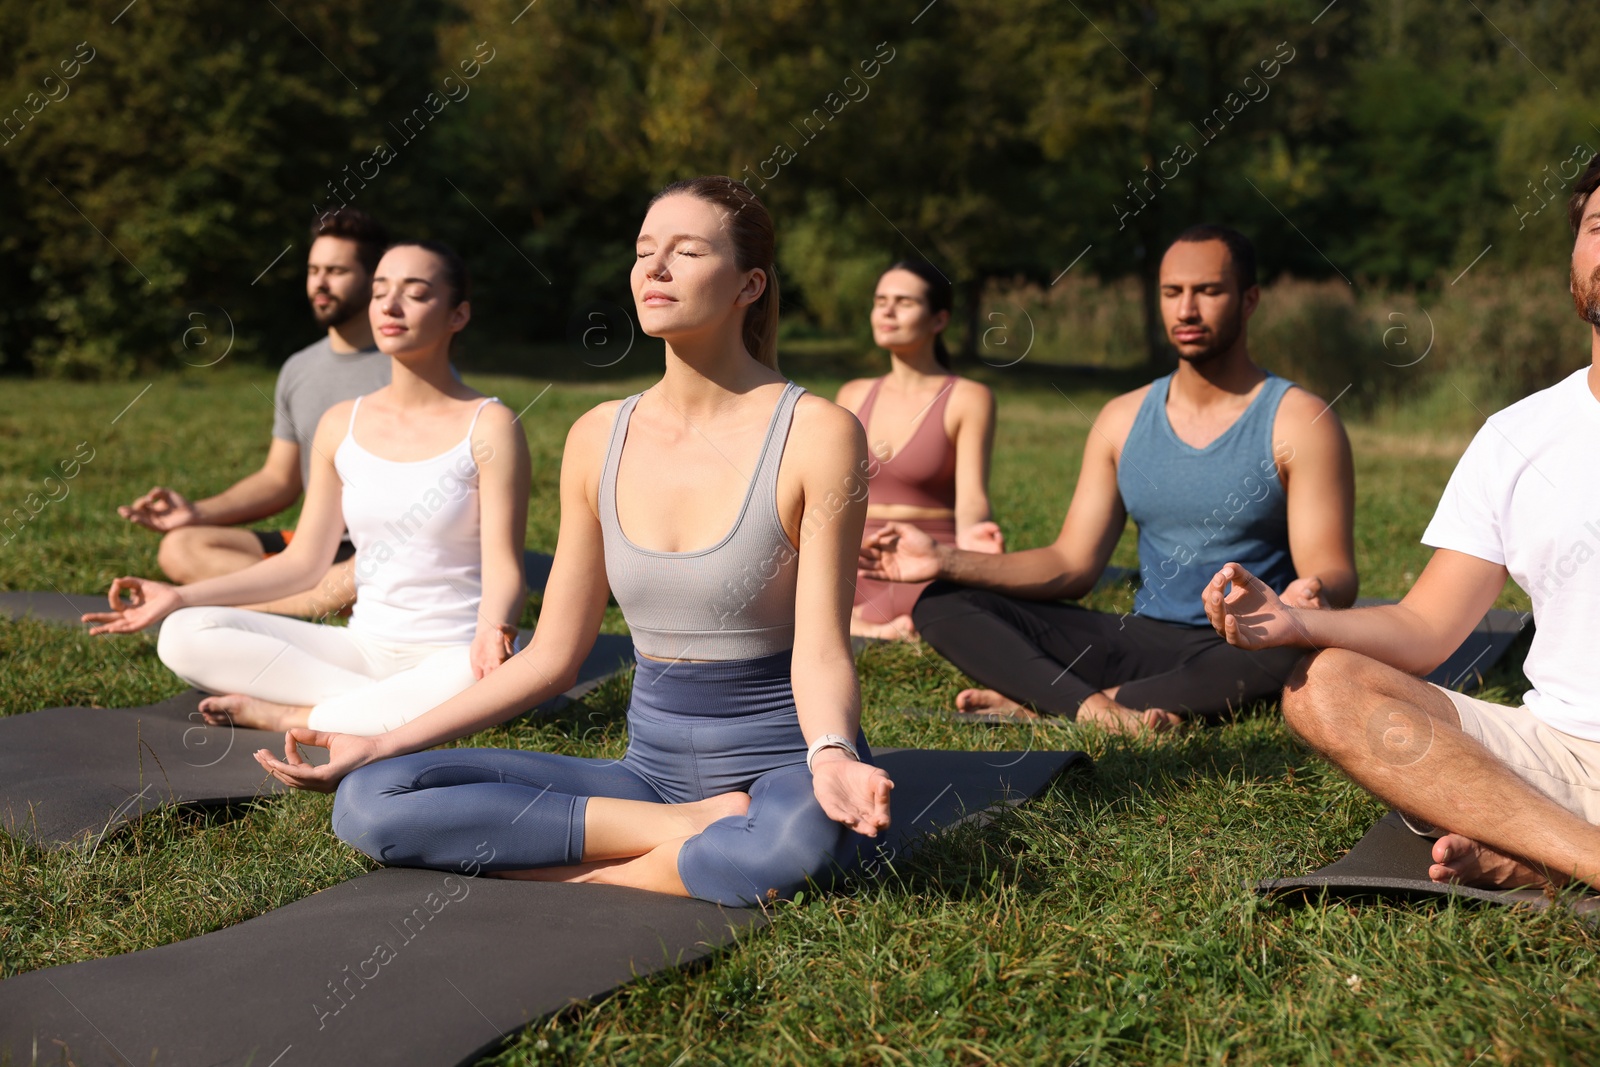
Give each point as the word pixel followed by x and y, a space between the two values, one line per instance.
pixel 695 732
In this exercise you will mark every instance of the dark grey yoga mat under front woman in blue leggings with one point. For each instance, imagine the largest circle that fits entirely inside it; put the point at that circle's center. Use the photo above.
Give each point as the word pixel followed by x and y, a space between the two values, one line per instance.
pixel 426 969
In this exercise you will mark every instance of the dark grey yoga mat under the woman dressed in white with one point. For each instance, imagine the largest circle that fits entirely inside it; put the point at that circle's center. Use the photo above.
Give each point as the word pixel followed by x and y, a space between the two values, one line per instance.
pixel 73 775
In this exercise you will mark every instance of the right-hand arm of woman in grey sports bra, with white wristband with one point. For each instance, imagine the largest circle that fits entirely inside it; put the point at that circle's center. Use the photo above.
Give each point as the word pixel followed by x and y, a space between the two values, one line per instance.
pixel 830 473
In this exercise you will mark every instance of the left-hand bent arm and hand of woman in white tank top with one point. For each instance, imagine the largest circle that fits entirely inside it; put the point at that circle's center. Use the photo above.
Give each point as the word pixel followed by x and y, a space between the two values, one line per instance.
pixel 295 570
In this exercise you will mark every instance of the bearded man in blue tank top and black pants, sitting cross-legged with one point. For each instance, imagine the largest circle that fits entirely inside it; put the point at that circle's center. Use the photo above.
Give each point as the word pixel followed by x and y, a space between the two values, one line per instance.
pixel 1217 462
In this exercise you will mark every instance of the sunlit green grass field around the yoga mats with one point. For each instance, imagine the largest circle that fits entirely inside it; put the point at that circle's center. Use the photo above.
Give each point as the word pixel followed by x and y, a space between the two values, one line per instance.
pixel 1105 924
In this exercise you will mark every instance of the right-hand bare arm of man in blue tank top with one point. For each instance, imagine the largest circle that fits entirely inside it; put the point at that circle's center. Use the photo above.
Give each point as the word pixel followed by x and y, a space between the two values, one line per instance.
pixel 1319 479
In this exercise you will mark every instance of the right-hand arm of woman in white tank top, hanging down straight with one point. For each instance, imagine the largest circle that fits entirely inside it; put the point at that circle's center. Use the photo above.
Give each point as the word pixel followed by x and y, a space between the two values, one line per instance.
pixel 502 452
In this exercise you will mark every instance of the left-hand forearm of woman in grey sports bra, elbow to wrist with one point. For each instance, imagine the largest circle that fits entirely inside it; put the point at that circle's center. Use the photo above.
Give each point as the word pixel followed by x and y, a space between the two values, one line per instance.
pixel 526 681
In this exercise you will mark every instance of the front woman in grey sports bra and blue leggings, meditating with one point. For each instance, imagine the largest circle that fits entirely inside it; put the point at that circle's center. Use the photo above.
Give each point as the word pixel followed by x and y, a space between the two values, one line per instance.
pixel 732 557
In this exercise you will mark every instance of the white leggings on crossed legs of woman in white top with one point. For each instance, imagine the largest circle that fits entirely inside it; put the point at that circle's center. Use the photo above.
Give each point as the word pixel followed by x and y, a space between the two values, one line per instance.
pixel 354 684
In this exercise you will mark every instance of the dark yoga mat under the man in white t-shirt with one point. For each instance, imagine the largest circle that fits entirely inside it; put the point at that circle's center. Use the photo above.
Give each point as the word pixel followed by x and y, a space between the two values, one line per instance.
pixel 1393 863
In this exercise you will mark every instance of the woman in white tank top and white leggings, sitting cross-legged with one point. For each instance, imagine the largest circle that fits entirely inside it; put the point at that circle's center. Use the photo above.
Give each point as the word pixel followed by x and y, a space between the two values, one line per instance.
pixel 431 479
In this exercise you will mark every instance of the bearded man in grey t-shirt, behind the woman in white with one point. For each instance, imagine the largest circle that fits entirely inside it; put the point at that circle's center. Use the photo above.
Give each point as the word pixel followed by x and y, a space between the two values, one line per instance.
pixel 204 538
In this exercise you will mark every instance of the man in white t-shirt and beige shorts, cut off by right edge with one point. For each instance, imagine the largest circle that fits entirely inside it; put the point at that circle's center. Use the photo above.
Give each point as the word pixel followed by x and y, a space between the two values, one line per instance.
pixel 1516 791
